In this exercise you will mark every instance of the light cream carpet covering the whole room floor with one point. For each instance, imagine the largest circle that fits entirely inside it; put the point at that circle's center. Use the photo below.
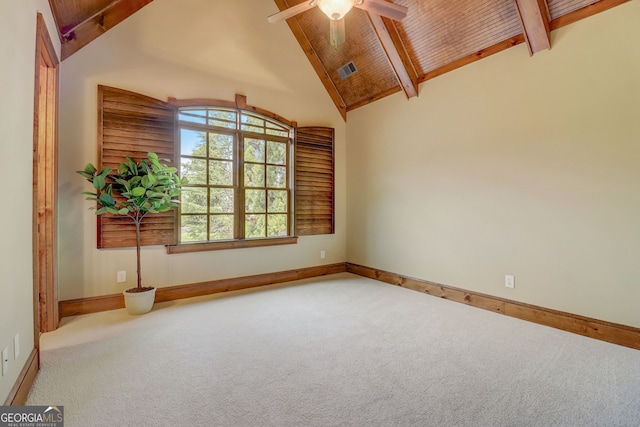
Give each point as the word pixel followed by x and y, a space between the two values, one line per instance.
pixel 335 351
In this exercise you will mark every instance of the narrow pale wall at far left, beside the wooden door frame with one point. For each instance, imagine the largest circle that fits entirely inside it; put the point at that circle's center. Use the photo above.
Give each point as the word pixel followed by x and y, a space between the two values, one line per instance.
pixel 17 49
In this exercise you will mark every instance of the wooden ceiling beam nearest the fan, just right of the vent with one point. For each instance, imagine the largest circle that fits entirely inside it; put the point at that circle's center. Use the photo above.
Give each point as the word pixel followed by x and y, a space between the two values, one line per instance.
pixel 398 57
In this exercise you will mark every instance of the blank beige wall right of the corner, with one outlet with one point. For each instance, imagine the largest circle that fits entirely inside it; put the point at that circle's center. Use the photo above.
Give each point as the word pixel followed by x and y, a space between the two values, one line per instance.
pixel 512 165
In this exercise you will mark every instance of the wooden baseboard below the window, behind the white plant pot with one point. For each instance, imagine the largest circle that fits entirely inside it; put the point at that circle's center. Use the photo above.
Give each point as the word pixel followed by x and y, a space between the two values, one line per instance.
pixel 112 302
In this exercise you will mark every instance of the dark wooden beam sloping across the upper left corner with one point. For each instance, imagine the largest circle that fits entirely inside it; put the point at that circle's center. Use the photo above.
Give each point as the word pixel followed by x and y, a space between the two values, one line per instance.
pixel 94 26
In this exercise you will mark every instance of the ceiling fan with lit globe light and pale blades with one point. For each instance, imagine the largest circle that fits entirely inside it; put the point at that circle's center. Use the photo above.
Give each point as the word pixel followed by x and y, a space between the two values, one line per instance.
pixel 337 9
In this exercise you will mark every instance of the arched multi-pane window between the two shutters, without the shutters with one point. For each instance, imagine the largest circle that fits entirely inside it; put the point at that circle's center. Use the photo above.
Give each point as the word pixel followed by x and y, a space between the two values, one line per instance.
pixel 238 164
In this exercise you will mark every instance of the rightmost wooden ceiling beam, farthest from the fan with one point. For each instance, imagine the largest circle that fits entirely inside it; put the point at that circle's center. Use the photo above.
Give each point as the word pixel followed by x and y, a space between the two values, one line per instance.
pixel 534 16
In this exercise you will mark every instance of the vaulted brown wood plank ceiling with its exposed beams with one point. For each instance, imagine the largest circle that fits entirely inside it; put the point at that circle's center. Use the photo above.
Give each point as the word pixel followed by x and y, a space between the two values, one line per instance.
pixel 437 36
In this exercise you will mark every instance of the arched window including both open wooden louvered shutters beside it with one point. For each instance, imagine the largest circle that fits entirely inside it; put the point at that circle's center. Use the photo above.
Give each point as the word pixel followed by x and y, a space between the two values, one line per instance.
pixel 255 178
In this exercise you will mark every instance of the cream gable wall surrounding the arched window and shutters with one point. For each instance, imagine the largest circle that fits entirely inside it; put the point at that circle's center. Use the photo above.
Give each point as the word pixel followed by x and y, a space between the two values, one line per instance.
pixel 186 49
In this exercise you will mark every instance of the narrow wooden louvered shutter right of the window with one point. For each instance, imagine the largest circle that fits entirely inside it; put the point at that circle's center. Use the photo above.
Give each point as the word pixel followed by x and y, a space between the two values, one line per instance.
pixel 314 181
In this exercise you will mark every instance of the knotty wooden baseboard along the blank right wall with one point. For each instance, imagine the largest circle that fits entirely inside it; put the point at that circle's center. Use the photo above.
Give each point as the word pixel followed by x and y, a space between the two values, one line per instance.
pixel 605 331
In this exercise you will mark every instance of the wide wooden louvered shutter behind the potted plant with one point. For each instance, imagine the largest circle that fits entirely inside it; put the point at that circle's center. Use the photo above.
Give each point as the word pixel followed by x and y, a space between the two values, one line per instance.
pixel 131 125
